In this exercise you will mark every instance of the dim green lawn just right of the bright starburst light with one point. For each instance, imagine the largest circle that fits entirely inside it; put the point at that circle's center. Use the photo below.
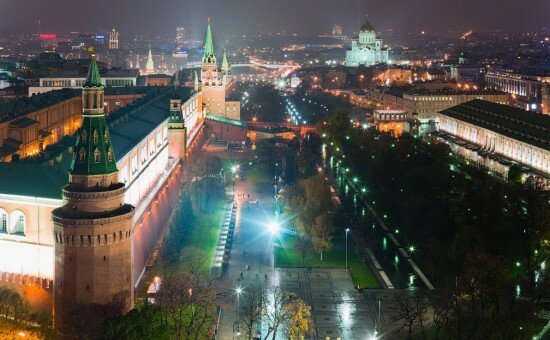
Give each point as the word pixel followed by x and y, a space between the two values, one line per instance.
pixel 287 257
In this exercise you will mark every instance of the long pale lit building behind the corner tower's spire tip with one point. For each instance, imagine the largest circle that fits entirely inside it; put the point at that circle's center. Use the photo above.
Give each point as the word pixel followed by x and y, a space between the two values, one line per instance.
pixel 74 79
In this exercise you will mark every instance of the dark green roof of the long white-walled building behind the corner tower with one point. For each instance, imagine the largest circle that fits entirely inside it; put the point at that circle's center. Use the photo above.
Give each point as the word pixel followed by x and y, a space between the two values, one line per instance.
pixel 44 176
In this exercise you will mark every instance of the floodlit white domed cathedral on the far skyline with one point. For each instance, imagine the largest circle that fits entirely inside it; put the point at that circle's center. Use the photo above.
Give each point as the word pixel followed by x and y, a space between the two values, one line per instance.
pixel 366 49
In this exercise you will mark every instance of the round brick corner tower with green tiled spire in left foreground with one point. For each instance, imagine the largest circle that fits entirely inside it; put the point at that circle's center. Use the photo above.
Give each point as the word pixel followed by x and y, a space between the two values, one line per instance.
pixel 93 228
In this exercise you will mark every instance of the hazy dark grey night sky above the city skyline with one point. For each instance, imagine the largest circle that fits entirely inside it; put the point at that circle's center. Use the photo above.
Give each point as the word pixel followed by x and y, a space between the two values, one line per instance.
pixel 254 16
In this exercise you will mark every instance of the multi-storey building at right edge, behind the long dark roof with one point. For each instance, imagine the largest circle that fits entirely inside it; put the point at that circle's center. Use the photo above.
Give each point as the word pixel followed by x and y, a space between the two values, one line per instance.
pixel 525 86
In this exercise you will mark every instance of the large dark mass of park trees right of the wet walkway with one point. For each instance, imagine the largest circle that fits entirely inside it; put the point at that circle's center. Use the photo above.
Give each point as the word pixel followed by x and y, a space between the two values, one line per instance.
pixel 480 240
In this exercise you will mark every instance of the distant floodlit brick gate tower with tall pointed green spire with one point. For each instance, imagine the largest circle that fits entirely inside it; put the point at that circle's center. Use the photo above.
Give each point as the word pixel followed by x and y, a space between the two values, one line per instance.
pixel 215 81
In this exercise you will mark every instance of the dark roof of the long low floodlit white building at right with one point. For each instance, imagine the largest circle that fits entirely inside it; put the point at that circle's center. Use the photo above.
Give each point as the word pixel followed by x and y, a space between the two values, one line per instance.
pixel 526 126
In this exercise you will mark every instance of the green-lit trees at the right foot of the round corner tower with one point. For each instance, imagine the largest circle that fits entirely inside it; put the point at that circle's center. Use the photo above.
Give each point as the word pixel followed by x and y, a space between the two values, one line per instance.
pixel 184 307
